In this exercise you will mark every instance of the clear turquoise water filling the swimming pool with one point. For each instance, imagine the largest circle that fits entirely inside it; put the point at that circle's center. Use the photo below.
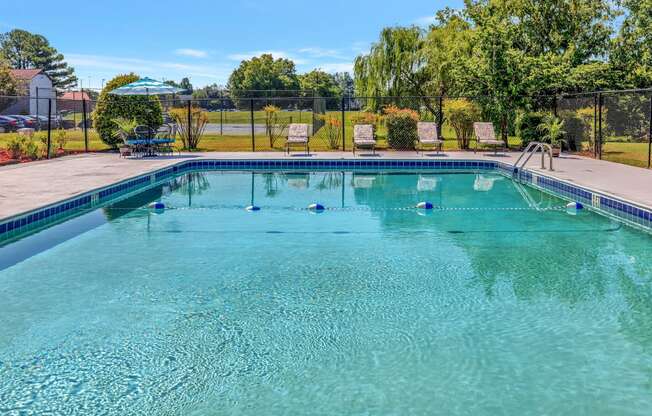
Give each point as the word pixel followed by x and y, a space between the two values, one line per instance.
pixel 499 302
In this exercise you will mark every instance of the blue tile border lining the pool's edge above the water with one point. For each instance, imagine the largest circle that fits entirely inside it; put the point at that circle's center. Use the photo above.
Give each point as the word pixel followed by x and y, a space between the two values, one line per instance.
pixel 627 211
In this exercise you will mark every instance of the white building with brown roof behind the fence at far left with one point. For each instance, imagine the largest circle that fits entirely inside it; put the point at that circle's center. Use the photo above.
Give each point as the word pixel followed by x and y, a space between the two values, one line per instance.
pixel 36 85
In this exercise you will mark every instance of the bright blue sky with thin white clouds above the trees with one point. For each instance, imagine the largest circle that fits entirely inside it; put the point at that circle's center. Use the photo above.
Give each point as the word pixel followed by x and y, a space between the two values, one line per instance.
pixel 205 40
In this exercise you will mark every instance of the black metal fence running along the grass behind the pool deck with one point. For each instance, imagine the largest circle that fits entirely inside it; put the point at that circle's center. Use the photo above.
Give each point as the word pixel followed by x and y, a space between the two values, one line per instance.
pixel 613 125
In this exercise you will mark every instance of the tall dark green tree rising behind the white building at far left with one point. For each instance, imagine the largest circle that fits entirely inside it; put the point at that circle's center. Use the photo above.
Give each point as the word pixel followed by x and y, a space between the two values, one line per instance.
pixel 25 50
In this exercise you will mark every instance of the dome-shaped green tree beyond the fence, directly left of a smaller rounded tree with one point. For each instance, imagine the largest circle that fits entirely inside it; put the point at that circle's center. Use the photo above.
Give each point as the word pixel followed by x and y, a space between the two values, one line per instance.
pixel 262 73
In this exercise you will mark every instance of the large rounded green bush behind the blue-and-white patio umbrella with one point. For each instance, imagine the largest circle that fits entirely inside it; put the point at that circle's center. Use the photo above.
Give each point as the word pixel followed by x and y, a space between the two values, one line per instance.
pixel 145 110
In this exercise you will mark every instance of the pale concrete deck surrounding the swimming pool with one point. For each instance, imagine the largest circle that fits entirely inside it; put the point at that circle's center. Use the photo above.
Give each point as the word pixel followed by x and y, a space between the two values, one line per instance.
pixel 28 186
